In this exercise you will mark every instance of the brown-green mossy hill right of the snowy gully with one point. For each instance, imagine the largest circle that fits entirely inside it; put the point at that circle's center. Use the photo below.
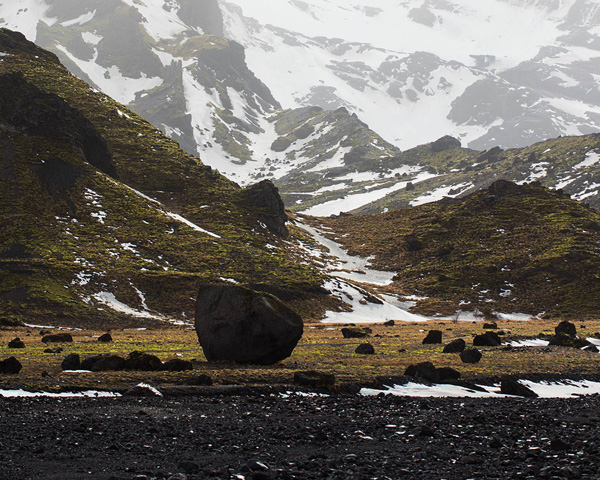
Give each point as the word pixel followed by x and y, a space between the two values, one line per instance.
pixel 522 249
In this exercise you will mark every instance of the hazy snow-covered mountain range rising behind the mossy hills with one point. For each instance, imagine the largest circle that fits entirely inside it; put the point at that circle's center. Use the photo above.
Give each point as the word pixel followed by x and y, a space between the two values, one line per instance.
pixel 321 95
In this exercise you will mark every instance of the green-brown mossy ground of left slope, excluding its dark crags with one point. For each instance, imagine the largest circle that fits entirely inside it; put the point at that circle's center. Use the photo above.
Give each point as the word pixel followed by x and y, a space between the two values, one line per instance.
pixel 166 251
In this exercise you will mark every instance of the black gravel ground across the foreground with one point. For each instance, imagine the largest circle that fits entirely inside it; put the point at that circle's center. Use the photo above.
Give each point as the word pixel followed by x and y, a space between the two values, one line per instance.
pixel 270 437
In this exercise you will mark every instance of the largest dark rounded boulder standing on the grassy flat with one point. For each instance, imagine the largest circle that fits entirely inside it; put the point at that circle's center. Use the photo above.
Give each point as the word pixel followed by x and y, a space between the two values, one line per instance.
pixel 237 324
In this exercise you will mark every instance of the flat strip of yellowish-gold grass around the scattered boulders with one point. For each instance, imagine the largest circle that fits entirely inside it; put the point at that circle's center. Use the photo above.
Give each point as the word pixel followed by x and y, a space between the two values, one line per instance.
pixel 322 348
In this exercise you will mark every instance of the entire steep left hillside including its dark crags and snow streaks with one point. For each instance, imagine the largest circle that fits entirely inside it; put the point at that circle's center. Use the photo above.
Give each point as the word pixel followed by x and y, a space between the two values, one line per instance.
pixel 107 222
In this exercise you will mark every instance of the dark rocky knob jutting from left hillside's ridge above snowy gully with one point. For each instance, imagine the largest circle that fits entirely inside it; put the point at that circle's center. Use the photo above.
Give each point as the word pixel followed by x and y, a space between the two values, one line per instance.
pixel 264 197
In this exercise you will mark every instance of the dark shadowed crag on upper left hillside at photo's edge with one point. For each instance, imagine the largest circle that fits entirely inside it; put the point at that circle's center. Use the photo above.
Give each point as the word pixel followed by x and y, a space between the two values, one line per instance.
pixel 26 109
